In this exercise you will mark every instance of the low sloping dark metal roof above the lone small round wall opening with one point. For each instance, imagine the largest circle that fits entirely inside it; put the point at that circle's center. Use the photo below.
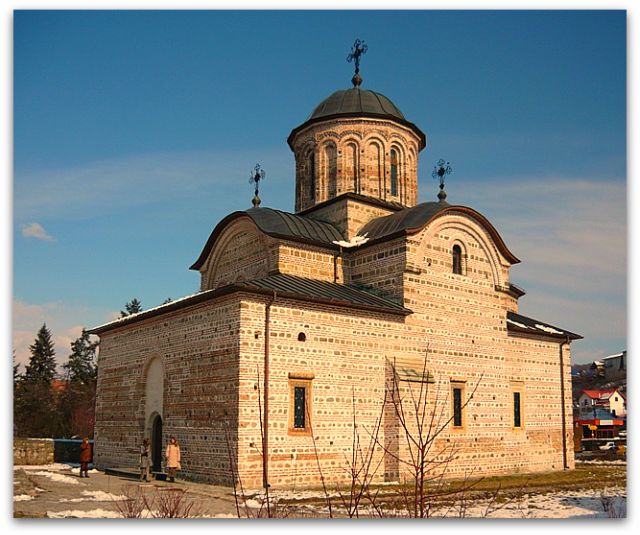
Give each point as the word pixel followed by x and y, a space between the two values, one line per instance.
pixel 324 291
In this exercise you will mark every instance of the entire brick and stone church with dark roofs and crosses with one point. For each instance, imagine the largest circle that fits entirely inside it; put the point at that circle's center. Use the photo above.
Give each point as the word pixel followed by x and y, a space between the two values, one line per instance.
pixel 305 321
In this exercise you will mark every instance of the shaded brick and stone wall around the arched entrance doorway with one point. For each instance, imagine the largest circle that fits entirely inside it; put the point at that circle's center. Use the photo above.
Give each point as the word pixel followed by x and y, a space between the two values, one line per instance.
pixel 198 348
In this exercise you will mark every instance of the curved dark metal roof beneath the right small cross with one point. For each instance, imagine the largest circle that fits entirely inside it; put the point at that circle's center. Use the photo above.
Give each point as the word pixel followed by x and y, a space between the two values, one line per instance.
pixel 412 220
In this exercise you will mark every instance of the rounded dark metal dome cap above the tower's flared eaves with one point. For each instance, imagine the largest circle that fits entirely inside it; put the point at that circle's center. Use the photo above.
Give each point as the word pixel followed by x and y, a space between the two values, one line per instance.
pixel 356 101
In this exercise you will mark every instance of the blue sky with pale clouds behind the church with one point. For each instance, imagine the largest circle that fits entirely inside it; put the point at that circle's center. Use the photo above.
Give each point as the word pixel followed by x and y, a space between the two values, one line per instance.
pixel 135 132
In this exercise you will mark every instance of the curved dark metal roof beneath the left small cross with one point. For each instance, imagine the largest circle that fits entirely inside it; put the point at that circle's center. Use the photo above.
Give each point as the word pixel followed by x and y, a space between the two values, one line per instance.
pixel 279 225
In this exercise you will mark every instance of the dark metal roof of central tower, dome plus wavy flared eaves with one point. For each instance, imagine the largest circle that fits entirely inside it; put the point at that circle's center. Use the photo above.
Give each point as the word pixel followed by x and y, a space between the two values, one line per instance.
pixel 356 102
